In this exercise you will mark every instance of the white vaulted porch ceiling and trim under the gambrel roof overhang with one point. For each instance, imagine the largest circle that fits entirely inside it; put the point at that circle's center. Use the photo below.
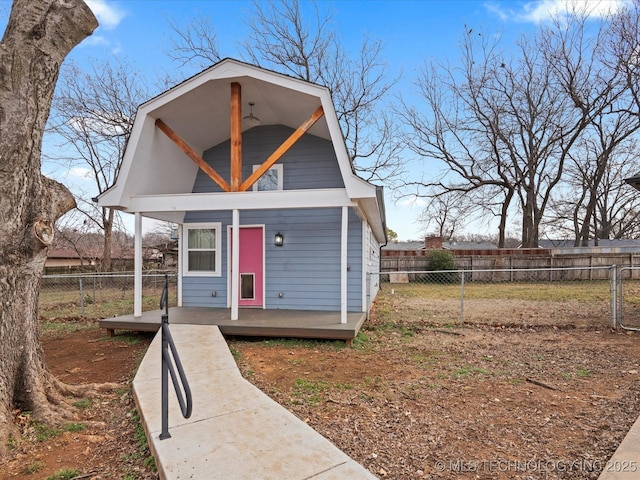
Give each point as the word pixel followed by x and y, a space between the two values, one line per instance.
pixel 198 111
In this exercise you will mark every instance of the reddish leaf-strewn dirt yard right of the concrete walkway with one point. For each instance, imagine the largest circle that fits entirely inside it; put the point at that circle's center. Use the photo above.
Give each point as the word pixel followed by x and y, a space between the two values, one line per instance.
pixel 467 403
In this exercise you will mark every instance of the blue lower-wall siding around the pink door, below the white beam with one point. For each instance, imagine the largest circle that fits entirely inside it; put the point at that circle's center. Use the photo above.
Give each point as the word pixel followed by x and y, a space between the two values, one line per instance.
pixel 306 270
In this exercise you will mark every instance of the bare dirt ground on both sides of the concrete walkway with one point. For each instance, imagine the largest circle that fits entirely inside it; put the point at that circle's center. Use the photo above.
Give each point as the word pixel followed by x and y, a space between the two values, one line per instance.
pixel 406 400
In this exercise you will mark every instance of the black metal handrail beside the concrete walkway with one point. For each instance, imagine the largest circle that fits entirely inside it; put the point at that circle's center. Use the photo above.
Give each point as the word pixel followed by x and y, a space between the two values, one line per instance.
pixel 185 401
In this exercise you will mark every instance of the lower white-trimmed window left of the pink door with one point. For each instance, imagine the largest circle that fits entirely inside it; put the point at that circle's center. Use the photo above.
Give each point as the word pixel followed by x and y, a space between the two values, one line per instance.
pixel 202 249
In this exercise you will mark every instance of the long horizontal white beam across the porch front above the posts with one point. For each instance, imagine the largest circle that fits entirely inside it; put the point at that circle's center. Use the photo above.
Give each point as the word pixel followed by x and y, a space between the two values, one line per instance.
pixel 311 198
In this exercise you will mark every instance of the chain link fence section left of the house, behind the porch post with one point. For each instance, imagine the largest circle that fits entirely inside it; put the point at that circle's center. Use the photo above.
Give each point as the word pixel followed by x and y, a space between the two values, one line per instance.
pixel 100 295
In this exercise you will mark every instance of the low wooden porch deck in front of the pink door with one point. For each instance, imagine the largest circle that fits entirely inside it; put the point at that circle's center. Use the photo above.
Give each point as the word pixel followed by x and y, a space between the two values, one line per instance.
pixel 252 322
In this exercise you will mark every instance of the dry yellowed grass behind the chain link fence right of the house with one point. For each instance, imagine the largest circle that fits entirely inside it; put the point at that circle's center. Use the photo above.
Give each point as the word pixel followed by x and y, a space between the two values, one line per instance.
pixel 585 303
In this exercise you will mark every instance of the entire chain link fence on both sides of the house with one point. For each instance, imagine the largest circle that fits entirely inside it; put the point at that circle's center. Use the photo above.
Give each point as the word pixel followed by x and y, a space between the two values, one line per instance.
pixel 590 296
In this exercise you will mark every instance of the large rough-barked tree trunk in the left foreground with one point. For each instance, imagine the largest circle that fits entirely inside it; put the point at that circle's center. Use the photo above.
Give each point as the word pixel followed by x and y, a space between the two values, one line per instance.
pixel 39 35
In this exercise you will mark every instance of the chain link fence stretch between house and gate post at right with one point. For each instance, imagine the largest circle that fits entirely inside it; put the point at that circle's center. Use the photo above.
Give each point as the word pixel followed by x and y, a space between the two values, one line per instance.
pixel 499 297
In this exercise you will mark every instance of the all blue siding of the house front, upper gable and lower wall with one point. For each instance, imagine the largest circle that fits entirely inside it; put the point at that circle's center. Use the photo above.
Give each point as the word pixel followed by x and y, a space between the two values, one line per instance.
pixel 306 270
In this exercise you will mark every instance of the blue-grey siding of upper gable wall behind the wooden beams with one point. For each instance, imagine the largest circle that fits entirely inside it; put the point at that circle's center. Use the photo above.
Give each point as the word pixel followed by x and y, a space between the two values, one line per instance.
pixel 310 163
